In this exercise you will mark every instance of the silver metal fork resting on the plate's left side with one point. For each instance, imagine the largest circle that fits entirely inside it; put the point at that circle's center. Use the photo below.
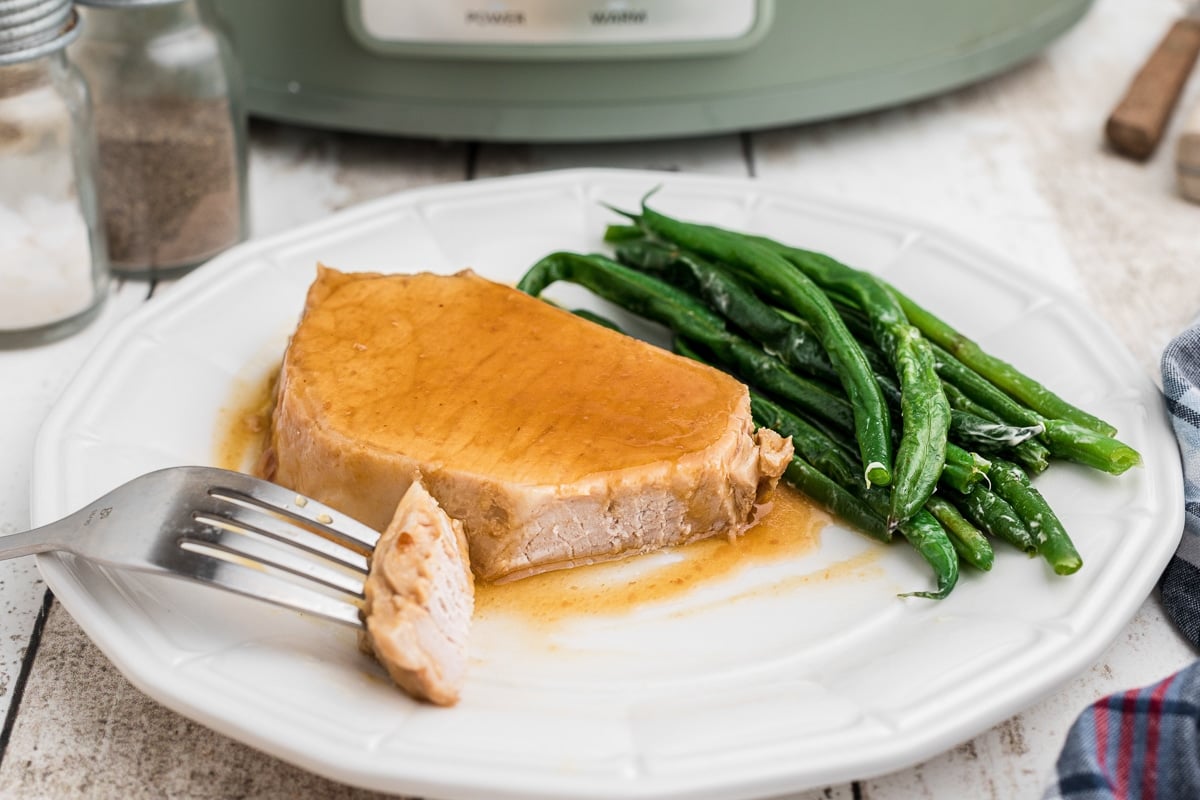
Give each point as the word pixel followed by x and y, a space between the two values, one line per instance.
pixel 224 530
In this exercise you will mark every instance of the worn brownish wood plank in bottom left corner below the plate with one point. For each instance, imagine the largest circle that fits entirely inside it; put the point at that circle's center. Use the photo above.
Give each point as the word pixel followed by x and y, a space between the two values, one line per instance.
pixel 85 732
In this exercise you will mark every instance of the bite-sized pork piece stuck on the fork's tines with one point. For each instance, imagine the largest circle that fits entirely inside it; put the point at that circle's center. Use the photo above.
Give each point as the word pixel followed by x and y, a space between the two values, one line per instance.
pixel 419 600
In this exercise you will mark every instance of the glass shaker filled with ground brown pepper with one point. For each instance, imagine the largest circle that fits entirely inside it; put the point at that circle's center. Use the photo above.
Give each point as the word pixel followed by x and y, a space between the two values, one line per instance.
pixel 171 130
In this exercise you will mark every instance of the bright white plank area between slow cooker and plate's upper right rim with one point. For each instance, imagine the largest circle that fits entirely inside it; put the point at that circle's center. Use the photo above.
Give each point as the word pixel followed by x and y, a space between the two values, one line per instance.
pixel 958 163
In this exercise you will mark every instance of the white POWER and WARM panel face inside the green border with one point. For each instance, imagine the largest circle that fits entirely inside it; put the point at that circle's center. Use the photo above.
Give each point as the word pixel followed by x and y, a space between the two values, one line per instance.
pixel 562 23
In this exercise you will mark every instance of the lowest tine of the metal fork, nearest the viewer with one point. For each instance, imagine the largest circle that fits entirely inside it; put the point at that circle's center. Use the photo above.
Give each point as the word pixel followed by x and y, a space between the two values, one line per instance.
pixel 211 569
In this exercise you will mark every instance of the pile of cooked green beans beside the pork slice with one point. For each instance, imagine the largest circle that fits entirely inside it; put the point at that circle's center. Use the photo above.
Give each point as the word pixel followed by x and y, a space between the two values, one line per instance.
pixel 899 423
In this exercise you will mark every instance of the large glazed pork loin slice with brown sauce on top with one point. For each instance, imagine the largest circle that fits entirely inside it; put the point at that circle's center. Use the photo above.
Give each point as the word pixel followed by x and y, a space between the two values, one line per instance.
pixel 555 441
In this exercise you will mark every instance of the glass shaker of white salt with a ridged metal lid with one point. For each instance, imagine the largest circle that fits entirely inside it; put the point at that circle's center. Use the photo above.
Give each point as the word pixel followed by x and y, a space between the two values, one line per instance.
pixel 53 273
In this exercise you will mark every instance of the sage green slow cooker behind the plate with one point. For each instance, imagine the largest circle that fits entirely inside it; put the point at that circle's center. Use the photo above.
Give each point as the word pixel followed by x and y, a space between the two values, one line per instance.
pixel 572 70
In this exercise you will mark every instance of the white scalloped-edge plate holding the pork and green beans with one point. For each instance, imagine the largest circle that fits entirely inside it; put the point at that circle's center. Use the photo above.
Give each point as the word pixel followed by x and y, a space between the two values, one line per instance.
pixel 734 691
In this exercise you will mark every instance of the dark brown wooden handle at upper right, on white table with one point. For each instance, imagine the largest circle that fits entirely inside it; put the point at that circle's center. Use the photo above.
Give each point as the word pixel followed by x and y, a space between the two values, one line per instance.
pixel 1138 123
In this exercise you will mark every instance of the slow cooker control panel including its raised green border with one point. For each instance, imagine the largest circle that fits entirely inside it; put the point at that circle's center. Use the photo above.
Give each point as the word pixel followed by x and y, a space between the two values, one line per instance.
pixel 561 28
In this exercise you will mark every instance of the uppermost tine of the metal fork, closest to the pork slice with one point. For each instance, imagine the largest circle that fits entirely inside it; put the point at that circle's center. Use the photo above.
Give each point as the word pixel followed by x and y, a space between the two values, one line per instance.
pixel 275 500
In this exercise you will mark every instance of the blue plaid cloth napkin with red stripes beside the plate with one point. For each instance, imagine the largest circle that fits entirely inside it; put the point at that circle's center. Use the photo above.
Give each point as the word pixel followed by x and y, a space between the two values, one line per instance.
pixel 1145 744
